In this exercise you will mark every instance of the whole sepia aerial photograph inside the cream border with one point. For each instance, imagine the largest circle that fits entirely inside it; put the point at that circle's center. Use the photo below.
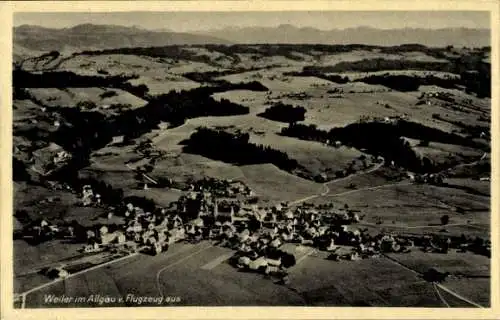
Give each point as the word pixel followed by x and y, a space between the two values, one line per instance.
pixel 292 158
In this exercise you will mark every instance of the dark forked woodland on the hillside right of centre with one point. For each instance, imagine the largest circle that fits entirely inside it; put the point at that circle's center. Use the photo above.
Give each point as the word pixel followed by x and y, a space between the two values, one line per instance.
pixel 382 139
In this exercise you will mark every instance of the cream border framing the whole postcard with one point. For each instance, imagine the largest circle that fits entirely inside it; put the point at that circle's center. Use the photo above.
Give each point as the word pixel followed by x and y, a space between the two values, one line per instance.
pixel 7 10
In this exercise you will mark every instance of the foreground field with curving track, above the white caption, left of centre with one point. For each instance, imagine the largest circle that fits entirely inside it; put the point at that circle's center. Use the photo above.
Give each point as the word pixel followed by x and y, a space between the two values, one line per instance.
pixel 149 276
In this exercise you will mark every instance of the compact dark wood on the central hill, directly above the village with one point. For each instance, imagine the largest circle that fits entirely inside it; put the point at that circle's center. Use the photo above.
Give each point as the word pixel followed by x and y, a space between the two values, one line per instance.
pixel 236 148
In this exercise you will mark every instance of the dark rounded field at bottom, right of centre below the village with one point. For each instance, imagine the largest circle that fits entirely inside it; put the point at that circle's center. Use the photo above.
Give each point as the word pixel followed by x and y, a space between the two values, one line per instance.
pixel 360 283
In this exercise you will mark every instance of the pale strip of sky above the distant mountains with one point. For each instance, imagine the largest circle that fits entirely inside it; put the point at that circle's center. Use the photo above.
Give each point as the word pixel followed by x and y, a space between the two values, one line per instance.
pixel 204 21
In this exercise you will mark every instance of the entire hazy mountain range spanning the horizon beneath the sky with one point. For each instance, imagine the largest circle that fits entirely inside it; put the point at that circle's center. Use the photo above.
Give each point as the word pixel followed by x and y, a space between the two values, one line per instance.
pixel 95 37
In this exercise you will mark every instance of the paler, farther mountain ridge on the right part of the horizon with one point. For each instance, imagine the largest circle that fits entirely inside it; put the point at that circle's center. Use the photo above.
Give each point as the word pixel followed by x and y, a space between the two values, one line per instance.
pixel 361 35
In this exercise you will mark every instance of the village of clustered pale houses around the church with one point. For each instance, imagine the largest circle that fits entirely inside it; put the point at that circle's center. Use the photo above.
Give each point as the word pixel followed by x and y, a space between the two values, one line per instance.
pixel 227 214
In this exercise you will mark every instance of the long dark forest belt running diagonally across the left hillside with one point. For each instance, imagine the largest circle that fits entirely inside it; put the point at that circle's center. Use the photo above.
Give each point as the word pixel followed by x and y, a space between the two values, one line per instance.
pixel 92 130
